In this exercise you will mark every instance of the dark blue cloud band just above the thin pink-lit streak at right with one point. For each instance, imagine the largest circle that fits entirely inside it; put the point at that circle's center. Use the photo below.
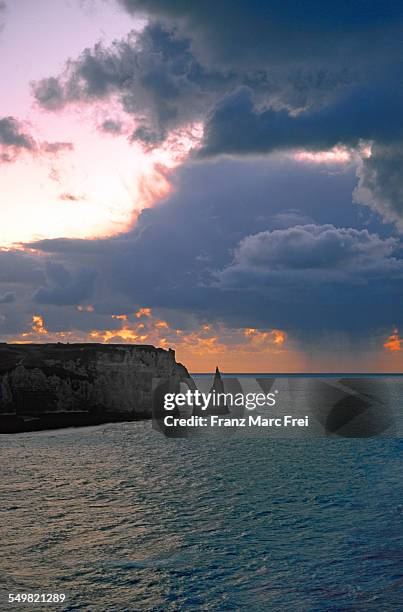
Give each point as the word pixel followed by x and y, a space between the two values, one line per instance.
pixel 238 127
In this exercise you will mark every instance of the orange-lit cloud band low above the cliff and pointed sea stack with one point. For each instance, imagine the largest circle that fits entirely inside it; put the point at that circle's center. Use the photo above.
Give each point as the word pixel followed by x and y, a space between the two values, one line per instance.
pixel 240 349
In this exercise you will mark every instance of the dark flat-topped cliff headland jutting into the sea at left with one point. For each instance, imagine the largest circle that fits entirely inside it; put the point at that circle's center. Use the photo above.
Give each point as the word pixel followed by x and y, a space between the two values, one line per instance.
pixel 53 385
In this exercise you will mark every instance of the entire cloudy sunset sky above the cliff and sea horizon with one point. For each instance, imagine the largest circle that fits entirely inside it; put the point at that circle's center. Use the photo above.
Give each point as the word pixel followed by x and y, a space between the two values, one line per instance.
pixel 223 178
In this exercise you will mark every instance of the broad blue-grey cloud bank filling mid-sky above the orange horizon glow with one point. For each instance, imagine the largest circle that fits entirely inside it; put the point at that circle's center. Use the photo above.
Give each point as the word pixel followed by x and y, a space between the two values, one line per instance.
pixel 310 278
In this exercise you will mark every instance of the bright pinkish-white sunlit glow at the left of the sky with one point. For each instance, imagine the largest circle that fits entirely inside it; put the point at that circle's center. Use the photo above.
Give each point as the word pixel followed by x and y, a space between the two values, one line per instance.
pixel 96 187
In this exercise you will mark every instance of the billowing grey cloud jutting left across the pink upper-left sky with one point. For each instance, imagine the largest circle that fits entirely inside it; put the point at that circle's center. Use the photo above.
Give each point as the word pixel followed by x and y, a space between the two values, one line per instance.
pixel 158 79
